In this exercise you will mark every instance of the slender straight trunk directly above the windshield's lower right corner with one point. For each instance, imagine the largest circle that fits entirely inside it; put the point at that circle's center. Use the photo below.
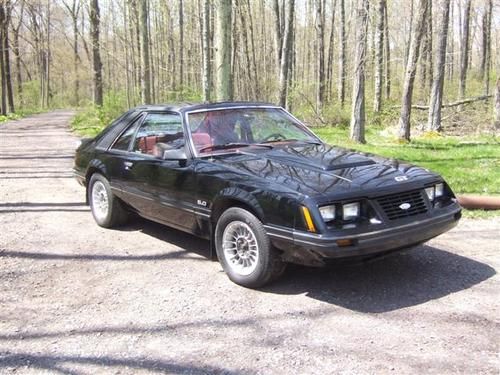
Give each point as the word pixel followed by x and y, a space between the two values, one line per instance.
pixel 320 56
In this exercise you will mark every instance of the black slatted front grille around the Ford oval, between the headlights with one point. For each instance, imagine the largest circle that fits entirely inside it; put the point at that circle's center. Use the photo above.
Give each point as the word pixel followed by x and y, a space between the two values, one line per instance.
pixel 391 204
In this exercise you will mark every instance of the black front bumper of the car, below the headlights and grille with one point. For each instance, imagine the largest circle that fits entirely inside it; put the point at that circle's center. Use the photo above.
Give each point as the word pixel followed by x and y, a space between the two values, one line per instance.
pixel 316 249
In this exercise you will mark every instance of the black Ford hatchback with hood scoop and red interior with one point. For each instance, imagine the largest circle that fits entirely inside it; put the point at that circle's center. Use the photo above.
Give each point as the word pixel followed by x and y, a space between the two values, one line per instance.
pixel 260 186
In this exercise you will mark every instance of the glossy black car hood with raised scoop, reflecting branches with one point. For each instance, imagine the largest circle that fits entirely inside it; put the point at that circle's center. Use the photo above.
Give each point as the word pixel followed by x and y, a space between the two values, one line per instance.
pixel 323 170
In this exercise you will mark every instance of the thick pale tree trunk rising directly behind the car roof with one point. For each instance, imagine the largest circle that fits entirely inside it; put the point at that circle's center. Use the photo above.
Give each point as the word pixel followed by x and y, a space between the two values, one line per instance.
pixel 223 69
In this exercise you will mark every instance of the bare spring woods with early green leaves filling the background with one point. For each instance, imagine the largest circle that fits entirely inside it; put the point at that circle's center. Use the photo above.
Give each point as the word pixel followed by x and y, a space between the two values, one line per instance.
pixel 316 57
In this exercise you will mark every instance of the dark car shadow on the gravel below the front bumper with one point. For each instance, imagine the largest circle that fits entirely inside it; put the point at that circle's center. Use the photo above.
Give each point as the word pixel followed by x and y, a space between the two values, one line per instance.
pixel 400 280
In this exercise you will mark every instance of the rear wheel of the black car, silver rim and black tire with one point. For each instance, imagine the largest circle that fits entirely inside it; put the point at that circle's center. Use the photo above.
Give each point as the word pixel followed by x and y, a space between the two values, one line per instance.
pixel 108 211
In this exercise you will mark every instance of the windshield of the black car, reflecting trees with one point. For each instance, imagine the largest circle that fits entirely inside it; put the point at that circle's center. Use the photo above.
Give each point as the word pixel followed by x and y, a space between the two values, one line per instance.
pixel 243 127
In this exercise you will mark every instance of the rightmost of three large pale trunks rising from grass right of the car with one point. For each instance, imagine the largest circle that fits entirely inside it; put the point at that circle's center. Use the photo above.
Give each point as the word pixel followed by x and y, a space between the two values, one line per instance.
pixel 436 99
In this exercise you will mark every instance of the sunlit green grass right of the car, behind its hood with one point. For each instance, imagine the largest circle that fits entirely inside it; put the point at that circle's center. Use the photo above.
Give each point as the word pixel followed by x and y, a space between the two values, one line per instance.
pixel 469 164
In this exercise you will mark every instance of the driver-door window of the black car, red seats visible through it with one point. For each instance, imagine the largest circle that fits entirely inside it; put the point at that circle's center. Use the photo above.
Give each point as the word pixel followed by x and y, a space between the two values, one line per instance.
pixel 159 132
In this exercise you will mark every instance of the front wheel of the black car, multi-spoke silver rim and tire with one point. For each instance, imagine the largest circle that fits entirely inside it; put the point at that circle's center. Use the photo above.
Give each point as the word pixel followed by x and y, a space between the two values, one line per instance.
pixel 244 249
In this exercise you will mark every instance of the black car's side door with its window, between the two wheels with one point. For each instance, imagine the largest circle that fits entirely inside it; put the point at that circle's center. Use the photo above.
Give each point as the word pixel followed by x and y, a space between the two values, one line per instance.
pixel 165 186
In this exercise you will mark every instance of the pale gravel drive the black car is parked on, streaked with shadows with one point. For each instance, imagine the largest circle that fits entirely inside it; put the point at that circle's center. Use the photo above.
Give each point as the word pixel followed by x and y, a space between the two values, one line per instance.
pixel 75 298
